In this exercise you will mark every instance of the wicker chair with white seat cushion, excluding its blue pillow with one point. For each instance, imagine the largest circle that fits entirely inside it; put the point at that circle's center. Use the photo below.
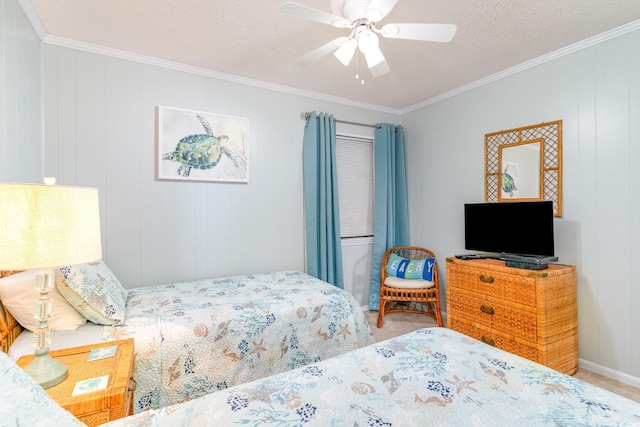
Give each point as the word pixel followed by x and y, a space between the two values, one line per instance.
pixel 410 299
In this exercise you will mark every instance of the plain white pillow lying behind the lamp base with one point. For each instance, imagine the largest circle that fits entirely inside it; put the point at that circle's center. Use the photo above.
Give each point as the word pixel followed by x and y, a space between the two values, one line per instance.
pixel 19 297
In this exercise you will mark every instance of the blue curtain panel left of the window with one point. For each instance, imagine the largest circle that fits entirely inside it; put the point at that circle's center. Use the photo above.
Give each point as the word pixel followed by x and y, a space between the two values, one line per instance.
pixel 322 218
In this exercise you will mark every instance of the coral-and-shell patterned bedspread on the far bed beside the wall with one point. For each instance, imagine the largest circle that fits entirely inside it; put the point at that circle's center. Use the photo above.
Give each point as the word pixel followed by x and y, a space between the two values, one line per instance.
pixel 194 338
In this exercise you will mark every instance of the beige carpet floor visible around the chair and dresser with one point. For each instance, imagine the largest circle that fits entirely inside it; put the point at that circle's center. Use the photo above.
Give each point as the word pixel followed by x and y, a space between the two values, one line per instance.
pixel 401 323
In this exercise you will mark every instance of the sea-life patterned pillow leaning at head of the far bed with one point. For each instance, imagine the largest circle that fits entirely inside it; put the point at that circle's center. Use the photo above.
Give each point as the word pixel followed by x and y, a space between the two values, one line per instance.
pixel 94 291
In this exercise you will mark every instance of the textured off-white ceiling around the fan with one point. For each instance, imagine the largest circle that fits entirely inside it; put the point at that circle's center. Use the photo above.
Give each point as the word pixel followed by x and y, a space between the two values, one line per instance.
pixel 252 39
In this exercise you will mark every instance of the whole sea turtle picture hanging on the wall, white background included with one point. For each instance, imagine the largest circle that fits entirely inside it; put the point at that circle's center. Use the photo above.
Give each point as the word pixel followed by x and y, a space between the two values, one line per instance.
pixel 201 146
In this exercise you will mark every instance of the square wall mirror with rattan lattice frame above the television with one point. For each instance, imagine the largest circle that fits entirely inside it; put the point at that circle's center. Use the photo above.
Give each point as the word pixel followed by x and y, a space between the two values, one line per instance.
pixel 525 164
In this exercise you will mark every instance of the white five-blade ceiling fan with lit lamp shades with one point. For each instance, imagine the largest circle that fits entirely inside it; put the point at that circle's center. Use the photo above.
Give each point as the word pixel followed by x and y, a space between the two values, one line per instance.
pixel 361 17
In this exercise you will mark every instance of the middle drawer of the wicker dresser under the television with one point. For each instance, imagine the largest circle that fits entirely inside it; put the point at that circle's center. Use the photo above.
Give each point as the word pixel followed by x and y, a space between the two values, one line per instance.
pixel 482 311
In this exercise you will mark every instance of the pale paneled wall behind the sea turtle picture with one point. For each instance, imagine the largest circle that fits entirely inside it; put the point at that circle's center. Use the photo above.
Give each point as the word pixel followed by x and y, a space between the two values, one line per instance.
pixel 100 121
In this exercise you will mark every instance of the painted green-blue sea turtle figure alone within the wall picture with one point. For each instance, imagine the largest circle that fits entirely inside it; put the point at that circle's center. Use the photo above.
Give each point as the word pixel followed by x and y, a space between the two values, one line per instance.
pixel 203 151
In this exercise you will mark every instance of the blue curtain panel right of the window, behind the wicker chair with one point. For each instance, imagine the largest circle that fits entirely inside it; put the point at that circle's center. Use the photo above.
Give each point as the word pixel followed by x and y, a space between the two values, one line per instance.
pixel 390 211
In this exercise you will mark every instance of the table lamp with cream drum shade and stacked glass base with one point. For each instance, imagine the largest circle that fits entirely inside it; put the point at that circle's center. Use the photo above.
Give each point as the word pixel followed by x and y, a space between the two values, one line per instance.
pixel 41 227
